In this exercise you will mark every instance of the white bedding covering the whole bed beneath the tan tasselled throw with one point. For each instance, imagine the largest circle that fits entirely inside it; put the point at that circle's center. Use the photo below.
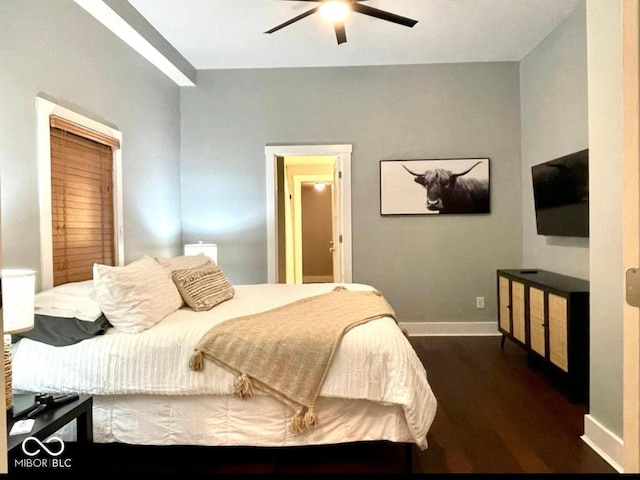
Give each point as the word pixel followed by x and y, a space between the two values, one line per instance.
pixel 375 363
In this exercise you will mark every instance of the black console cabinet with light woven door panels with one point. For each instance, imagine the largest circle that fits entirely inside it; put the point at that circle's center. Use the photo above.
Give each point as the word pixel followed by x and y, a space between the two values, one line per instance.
pixel 547 314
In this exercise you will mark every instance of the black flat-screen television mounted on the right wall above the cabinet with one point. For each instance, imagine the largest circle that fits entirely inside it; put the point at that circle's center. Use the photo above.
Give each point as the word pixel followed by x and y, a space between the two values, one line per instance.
pixel 561 195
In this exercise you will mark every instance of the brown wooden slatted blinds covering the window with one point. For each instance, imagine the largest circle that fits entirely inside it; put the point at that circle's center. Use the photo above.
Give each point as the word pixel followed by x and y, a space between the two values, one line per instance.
pixel 81 201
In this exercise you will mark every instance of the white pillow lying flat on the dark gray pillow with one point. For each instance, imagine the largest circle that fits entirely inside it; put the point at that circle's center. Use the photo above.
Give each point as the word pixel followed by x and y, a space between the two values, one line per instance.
pixel 70 300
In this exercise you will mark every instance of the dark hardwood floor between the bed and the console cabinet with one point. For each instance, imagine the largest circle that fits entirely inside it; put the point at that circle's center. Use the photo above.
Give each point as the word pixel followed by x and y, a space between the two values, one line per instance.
pixel 497 415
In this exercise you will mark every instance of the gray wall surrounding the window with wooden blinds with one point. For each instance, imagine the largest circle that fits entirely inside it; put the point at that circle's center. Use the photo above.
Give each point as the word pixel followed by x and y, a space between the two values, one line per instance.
pixel 57 50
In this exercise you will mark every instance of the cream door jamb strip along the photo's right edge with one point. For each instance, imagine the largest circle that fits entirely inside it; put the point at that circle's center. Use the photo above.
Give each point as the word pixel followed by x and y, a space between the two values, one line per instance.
pixel 631 246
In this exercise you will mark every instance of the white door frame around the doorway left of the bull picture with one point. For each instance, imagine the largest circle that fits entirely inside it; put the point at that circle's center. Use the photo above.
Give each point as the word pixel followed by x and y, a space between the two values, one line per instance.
pixel 343 155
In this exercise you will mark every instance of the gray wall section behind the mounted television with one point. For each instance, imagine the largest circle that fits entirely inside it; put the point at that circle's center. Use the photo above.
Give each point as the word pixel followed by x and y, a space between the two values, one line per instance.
pixel 554 123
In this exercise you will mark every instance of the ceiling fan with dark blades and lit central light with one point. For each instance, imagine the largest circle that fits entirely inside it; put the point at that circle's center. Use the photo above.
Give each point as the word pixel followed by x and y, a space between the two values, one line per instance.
pixel 342 9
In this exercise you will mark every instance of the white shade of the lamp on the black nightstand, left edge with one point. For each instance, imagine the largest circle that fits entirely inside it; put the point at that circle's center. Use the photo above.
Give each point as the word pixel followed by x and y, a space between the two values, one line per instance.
pixel 18 299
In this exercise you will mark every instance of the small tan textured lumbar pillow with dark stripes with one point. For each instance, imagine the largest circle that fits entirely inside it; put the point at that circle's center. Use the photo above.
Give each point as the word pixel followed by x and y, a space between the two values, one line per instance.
pixel 203 288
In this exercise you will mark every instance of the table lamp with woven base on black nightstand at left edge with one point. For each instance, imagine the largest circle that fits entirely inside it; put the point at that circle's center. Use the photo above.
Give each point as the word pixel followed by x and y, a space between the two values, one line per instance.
pixel 17 307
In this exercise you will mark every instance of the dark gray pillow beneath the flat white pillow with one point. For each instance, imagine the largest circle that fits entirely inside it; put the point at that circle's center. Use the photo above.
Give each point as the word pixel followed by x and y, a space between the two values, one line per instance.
pixel 62 331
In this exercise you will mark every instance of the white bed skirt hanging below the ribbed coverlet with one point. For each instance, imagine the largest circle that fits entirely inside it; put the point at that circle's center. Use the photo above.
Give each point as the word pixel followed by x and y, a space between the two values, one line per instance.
pixel 229 421
